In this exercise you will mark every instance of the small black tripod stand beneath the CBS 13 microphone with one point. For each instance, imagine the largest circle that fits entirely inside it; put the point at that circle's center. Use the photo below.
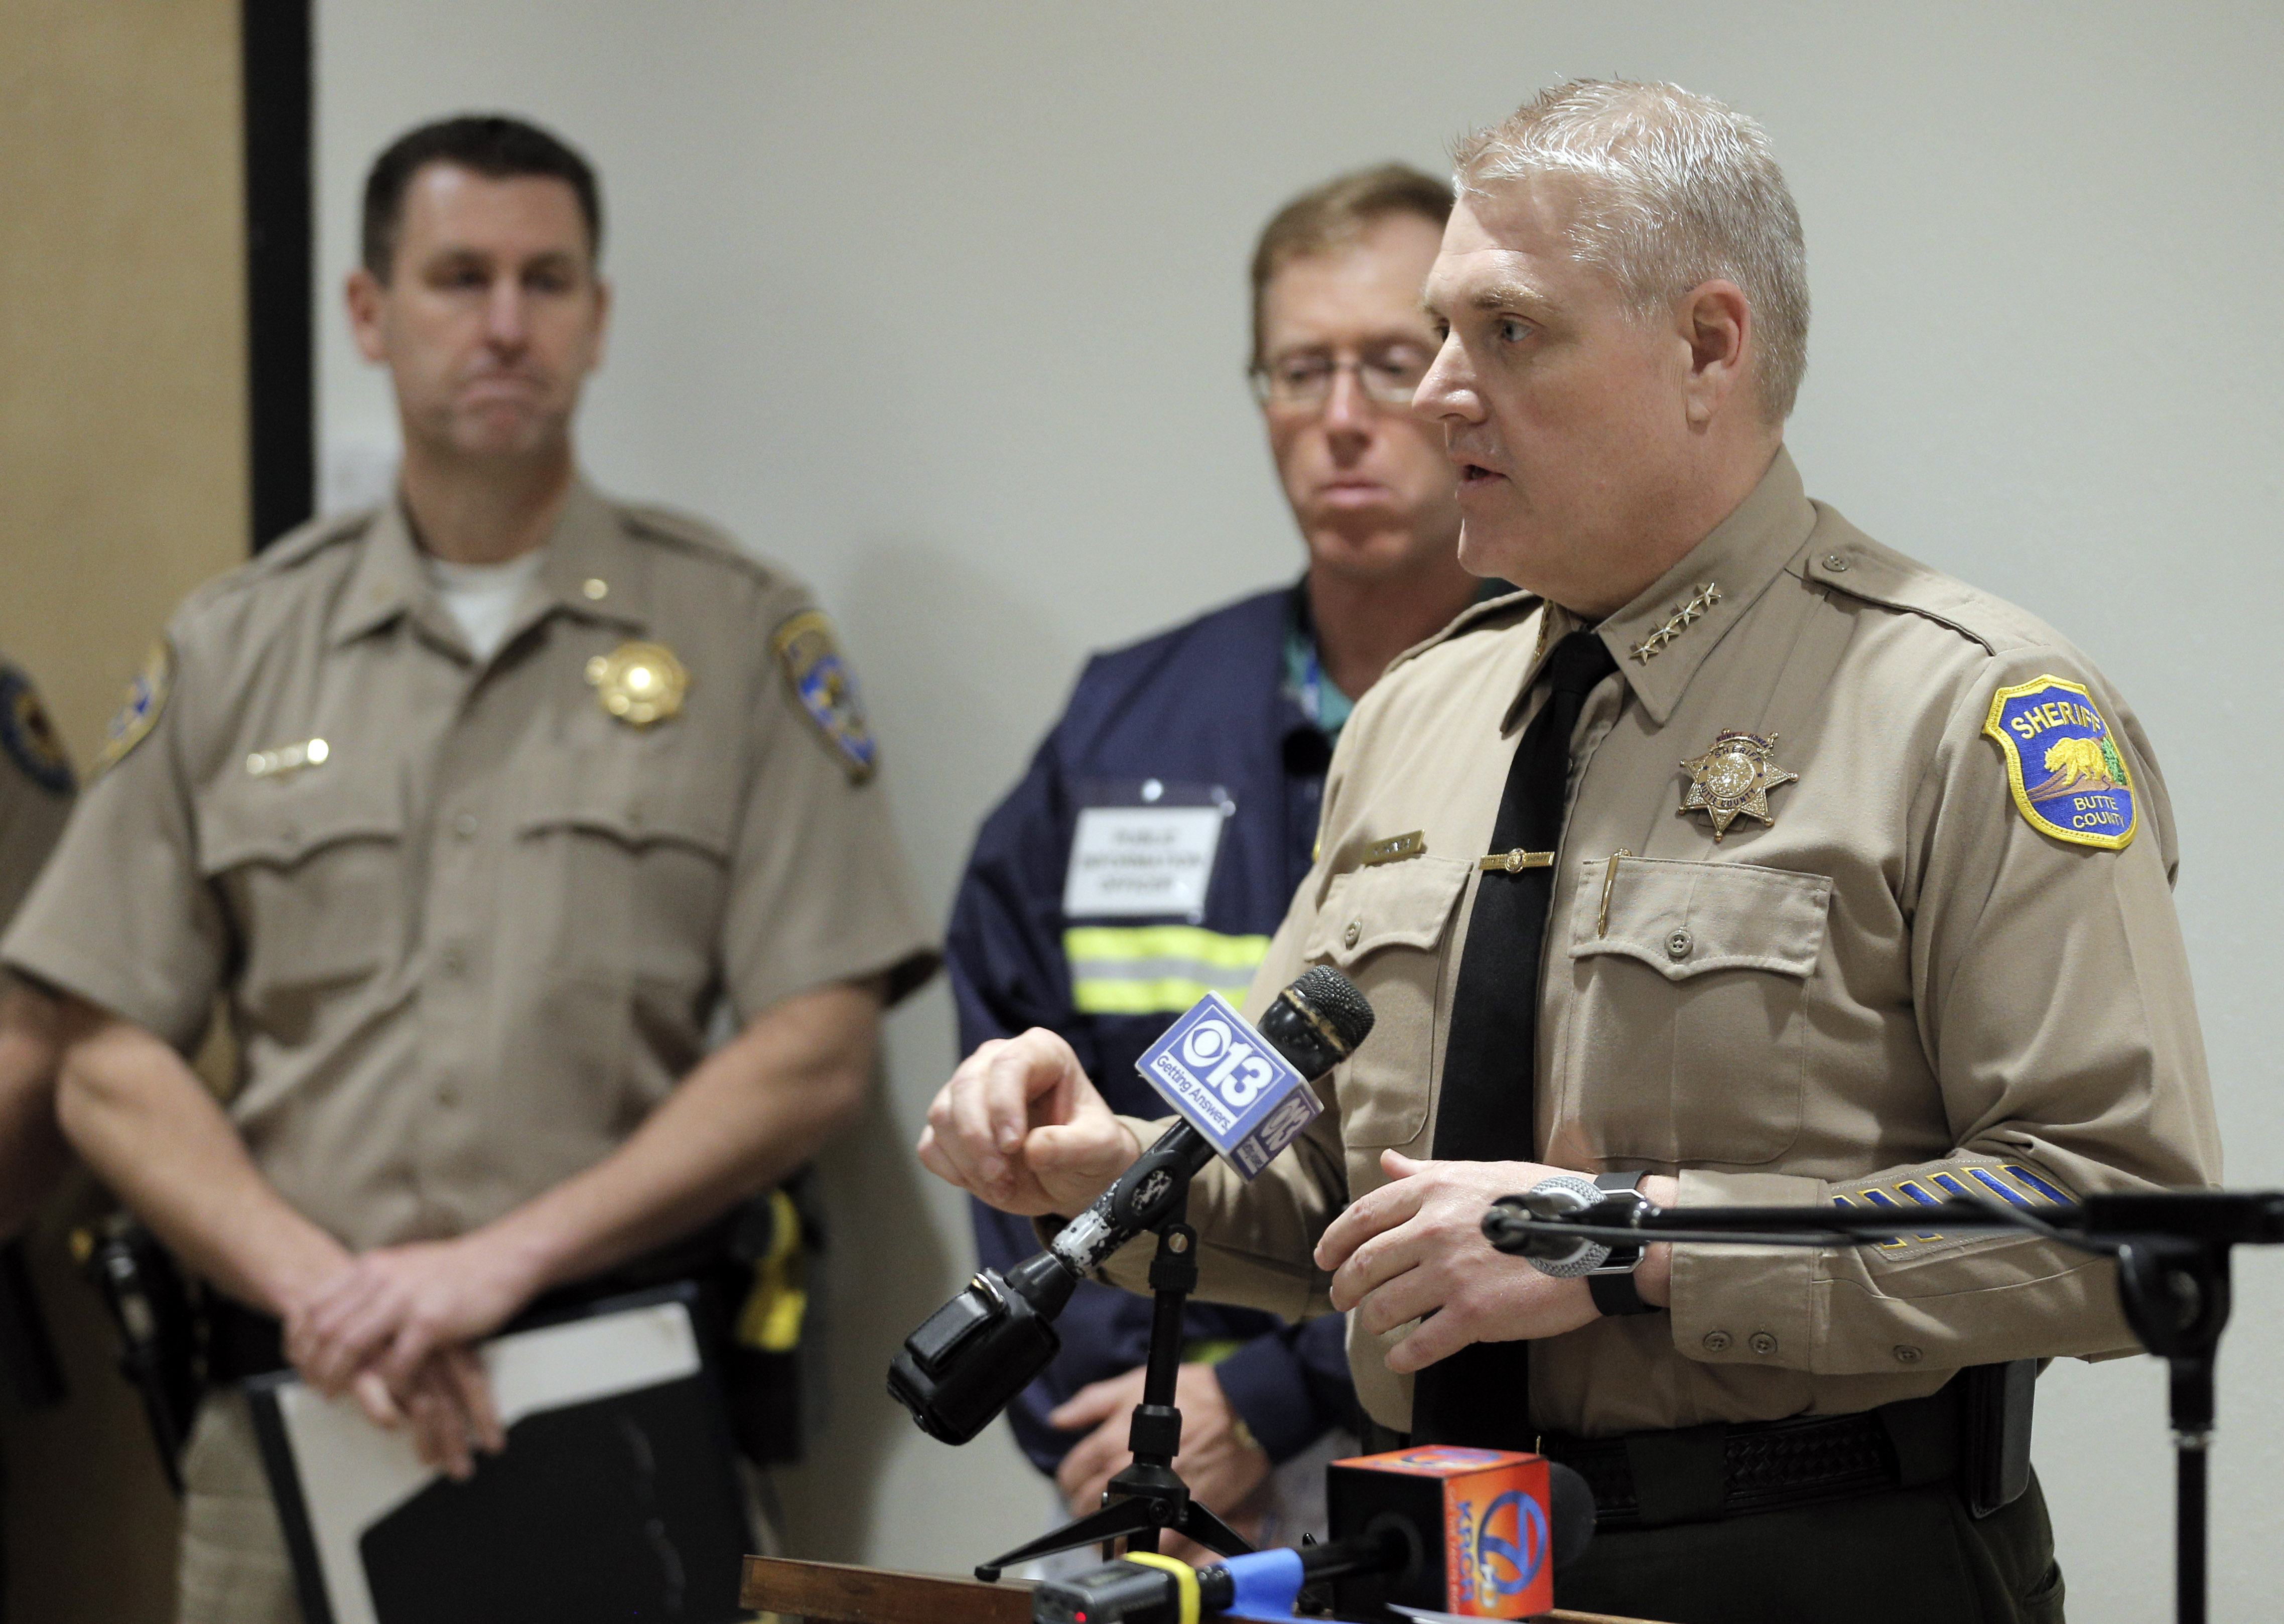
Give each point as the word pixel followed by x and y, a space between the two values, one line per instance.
pixel 1148 1495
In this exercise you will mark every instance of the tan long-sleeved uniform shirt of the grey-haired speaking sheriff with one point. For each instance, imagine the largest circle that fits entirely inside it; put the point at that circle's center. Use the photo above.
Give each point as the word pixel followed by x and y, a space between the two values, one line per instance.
pixel 1897 979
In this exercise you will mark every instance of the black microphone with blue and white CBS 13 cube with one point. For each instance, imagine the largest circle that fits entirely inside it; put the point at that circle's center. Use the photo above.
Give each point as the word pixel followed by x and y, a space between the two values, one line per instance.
pixel 1244 1093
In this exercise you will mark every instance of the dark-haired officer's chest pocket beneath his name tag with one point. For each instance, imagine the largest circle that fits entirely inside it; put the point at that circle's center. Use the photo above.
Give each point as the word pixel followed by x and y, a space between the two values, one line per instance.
pixel 312 871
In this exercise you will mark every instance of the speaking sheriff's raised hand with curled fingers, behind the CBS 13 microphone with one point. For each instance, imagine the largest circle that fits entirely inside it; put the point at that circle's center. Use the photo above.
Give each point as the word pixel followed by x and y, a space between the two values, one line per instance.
pixel 1022 1129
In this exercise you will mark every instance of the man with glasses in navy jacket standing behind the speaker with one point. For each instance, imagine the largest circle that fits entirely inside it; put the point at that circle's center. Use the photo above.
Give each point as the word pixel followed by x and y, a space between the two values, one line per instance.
pixel 1166 821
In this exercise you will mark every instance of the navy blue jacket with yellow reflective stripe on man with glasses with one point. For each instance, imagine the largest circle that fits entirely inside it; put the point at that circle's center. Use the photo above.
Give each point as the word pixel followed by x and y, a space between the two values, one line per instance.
pixel 1196 716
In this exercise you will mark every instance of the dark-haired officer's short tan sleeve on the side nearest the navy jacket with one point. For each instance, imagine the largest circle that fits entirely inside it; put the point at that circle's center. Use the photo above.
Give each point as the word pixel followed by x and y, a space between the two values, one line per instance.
pixel 819 881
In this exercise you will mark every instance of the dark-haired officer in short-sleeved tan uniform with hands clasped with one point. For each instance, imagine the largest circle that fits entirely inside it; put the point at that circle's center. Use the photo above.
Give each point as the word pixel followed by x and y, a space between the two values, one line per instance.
pixel 474 810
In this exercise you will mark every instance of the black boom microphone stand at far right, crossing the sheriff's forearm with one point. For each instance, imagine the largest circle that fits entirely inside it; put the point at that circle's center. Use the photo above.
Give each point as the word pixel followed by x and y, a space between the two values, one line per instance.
pixel 2173 1283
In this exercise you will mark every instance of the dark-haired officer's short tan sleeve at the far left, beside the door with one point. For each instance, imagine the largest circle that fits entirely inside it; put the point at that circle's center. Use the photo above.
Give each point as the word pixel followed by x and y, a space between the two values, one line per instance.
pixel 124 917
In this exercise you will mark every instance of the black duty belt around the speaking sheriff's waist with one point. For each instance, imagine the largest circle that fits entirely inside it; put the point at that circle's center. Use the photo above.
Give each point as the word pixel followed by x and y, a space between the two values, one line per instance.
pixel 1735 1470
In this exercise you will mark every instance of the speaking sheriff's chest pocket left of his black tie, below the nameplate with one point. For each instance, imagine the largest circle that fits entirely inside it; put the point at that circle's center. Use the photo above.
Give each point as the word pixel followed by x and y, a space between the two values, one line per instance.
pixel 1385 928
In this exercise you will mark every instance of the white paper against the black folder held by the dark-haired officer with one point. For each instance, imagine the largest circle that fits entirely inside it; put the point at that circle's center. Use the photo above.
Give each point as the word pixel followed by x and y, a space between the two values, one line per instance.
pixel 353 1474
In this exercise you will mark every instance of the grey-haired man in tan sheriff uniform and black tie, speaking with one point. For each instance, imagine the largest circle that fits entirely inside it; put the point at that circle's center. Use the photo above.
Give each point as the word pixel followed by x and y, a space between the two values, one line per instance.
pixel 1739 862
